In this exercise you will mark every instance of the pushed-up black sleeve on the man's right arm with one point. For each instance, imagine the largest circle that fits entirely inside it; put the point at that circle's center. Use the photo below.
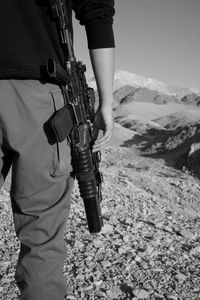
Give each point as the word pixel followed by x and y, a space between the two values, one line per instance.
pixel 97 17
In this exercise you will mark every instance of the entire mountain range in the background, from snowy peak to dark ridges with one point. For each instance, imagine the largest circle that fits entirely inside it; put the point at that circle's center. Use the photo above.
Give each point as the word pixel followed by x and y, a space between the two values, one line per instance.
pixel 157 119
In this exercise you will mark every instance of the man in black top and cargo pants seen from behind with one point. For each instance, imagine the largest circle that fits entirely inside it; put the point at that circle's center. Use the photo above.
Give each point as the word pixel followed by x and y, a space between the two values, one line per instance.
pixel 41 183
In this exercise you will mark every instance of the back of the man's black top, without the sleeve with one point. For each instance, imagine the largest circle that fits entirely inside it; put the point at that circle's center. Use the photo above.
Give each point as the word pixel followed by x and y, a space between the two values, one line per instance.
pixel 28 38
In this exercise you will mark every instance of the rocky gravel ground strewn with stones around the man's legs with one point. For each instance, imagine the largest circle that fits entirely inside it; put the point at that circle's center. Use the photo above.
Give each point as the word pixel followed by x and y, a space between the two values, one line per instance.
pixel 149 247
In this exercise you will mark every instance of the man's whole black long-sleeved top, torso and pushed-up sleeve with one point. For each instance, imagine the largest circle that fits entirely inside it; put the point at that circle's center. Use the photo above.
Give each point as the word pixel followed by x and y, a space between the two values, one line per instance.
pixel 28 35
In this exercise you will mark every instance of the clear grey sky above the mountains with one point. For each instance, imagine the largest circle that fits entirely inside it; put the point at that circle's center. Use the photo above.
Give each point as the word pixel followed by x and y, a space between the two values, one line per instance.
pixel 158 39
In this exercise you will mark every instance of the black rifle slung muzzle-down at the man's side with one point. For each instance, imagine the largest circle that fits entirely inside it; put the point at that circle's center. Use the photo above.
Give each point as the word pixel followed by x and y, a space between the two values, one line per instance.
pixel 75 120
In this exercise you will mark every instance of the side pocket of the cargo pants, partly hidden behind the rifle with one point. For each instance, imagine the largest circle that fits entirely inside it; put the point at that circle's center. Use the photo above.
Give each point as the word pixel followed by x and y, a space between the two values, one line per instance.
pixel 61 156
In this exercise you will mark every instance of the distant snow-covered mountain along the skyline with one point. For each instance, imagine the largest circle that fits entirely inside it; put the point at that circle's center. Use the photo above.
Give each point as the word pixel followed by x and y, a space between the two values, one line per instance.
pixel 124 78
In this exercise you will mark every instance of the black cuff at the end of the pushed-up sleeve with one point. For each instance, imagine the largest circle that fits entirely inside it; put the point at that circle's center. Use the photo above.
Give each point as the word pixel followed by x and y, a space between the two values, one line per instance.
pixel 100 36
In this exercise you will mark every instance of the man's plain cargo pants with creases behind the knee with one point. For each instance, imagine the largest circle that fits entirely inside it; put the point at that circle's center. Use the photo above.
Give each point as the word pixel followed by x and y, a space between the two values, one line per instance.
pixel 41 184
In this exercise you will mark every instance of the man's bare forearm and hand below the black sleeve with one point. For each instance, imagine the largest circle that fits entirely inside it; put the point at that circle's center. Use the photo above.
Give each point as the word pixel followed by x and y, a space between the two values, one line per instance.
pixel 103 67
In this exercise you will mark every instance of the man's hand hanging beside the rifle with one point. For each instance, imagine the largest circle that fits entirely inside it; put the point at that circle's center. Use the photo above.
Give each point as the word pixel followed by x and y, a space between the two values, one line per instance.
pixel 103 121
